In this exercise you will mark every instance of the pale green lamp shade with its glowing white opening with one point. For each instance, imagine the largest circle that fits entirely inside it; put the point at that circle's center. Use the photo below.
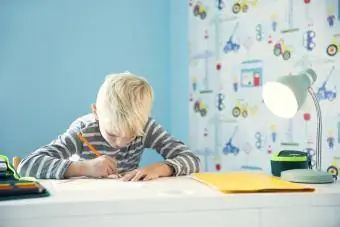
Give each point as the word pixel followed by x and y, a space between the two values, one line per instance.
pixel 285 96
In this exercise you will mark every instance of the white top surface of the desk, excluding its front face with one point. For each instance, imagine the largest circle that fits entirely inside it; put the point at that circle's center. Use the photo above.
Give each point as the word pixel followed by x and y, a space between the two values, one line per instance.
pixel 166 194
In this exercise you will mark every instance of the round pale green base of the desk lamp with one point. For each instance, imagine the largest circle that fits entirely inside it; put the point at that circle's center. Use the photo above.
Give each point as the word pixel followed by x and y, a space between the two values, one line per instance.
pixel 307 176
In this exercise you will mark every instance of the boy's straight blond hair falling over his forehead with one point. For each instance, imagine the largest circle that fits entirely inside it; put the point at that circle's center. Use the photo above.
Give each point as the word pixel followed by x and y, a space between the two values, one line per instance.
pixel 124 103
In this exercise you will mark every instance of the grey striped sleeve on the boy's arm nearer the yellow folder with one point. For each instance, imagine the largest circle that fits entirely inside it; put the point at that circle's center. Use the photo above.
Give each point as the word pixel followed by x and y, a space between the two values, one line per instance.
pixel 175 153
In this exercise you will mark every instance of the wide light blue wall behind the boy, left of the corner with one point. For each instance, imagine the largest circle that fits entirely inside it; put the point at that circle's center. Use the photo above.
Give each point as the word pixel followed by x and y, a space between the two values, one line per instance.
pixel 55 54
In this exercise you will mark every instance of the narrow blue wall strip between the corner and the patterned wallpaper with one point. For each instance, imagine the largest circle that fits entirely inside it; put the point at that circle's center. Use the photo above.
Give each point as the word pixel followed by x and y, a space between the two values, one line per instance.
pixel 179 68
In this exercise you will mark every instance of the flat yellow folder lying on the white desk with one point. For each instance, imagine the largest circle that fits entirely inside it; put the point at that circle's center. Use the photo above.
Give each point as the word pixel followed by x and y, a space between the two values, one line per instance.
pixel 248 182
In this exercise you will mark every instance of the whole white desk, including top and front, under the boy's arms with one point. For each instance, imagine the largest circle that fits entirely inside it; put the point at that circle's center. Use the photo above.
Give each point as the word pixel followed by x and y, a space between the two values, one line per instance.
pixel 171 202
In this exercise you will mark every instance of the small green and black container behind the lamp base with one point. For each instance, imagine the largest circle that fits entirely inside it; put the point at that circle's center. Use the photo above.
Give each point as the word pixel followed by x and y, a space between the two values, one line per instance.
pixel 289 159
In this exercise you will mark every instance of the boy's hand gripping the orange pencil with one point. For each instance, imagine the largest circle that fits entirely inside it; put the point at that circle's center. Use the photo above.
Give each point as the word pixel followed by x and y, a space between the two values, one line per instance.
pixel 102 166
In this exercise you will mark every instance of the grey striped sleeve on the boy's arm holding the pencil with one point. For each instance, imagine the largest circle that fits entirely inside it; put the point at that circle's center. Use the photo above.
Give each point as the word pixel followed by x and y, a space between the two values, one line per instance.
pixel 51 161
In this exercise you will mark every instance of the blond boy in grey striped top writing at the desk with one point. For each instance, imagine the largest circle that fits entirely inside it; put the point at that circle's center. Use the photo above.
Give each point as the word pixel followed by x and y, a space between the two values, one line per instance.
pixel 119 128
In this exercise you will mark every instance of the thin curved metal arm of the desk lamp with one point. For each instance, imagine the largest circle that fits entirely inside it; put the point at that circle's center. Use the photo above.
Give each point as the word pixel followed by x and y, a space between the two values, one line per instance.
pixel 318 129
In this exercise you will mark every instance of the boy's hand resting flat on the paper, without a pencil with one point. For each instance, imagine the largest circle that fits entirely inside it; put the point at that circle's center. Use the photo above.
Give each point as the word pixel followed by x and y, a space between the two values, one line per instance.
pixel 149 172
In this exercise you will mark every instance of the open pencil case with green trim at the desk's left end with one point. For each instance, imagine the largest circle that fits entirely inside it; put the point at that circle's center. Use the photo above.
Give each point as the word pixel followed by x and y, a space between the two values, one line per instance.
pixel 12 186
